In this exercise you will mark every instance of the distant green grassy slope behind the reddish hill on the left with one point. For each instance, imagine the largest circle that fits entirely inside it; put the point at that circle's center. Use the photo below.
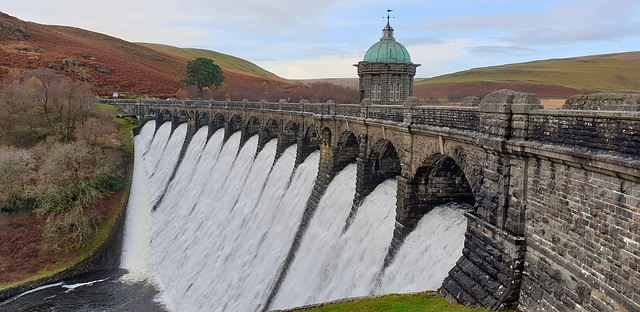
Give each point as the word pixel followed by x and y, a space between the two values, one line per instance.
pixel 223 60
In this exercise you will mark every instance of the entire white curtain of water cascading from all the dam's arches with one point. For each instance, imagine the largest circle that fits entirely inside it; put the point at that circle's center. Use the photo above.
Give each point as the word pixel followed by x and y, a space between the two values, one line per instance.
pixel 218 239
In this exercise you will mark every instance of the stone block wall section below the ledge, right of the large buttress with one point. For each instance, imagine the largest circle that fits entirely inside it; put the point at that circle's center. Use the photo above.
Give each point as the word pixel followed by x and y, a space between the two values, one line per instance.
pixel 582 232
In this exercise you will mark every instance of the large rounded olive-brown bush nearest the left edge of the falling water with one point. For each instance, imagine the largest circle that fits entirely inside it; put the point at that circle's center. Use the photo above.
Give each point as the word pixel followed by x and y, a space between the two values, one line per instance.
pixel 74 177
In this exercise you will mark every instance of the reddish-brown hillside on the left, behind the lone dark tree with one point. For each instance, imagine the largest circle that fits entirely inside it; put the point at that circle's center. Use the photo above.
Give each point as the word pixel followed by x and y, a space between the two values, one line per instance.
pixel 109 64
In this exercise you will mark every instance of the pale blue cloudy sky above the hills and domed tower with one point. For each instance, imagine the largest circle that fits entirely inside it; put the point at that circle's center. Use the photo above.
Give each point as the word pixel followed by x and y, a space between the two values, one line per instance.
pixel 302 39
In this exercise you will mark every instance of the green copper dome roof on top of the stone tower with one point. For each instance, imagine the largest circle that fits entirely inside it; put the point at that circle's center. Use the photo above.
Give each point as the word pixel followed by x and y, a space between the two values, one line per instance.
pixel 387 50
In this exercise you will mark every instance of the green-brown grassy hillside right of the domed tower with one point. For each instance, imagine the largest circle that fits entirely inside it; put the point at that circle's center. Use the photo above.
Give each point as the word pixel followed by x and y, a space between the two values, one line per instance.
pixel 549 78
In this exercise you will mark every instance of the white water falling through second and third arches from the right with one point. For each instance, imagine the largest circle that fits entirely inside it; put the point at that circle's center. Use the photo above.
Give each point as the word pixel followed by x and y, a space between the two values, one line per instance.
pixel 329 265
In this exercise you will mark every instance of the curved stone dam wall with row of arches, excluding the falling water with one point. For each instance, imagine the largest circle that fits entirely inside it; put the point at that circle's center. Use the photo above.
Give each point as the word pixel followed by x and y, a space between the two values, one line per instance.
pixel 555 224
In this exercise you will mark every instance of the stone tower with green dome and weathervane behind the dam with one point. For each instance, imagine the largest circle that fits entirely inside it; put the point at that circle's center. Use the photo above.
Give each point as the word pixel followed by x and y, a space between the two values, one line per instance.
pixel 386 73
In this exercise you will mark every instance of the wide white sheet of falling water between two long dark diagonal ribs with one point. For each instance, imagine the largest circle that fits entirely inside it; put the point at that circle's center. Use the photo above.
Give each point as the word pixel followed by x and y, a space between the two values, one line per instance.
pixel 213 242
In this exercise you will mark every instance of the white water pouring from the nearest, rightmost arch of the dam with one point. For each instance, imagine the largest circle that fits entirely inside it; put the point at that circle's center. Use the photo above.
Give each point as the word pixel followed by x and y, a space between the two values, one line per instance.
pixel 428 253
